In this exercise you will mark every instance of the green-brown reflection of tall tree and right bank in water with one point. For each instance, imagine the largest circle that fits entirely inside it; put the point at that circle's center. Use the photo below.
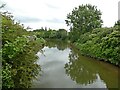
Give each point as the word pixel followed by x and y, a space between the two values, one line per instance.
pixel 84 70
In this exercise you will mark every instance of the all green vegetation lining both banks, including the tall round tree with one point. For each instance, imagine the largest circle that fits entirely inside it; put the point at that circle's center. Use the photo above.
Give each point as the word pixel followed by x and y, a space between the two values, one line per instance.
pixel 19 46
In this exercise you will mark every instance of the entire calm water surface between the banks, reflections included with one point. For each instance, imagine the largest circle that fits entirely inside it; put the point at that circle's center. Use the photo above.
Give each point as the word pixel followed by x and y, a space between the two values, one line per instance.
pixel 64 67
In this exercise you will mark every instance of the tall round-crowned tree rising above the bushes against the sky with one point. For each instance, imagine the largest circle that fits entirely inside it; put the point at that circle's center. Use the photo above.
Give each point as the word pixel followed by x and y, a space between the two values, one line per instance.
pixel 83 19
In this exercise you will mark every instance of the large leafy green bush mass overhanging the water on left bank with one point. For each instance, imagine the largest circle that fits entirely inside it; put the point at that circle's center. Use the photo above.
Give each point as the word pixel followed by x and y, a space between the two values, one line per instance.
pixel 19 48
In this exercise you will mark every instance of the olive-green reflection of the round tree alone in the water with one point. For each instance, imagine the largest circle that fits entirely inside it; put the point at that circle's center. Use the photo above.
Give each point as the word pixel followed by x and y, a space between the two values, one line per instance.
pixel 79 71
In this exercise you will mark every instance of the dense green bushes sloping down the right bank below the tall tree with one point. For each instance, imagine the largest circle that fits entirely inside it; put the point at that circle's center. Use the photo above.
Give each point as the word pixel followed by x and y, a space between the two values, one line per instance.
pixel 101 43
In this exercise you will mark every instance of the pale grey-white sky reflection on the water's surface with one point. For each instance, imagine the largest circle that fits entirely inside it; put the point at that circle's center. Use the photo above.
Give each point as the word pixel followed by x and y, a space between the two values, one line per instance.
pixel 52 62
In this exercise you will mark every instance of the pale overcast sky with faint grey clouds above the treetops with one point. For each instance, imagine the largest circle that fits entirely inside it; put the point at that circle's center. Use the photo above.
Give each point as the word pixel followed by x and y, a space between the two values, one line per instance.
pixel 52 13
